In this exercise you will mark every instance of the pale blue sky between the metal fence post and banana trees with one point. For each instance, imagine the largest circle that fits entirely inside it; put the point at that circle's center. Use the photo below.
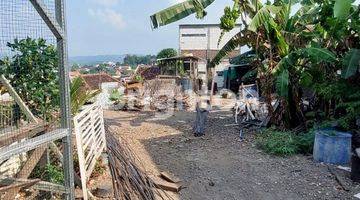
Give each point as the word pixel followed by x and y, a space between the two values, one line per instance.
pixel 103 27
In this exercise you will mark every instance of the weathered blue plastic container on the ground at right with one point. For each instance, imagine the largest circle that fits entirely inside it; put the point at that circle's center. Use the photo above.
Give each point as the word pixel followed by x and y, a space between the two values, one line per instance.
pixel 332 147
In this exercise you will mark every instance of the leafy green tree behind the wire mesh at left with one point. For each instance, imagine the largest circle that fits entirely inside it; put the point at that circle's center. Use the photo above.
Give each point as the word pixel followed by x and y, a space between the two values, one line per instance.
pixel 33 72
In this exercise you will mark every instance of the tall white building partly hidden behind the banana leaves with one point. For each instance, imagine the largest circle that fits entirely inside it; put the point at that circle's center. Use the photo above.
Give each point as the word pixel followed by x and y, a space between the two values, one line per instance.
pixel 201 40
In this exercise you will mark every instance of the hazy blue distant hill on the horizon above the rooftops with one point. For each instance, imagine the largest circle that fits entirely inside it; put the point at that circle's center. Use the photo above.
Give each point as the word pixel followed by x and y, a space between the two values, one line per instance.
pixel 93 60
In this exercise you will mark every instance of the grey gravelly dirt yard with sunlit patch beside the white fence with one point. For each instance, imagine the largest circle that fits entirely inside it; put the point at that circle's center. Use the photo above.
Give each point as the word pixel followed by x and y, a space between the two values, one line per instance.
pixel 219 166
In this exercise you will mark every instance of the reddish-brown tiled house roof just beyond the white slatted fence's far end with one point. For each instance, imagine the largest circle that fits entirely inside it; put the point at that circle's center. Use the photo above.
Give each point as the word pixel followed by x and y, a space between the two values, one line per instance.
pixel 94 81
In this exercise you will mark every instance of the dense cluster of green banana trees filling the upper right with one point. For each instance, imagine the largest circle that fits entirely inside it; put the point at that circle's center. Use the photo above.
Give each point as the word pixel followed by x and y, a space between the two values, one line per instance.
pixel 294 49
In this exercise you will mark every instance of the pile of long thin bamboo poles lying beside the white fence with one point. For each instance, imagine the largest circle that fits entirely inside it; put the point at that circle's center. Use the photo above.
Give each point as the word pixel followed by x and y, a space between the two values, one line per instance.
pixel 130 182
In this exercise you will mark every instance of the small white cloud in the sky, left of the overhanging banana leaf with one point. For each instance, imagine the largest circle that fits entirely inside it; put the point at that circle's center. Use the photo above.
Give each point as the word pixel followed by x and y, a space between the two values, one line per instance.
pixel 109 16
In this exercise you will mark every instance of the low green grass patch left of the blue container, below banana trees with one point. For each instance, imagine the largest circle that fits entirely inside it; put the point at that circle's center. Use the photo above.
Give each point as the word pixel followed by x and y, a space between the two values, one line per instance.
pixel 286 143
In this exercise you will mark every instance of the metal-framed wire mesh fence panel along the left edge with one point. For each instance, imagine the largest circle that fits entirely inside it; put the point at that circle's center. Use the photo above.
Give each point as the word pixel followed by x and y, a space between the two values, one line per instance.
pixel 32 163
